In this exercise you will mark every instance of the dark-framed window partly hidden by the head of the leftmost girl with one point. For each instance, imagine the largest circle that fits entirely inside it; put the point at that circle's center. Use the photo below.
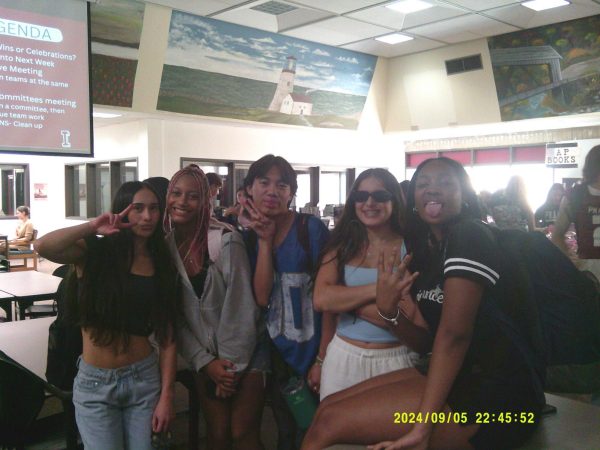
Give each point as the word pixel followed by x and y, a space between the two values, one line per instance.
pixel 90 187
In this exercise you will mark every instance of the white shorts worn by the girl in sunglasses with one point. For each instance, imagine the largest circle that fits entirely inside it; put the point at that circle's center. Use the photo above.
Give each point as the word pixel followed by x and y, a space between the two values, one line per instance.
pixel 346 365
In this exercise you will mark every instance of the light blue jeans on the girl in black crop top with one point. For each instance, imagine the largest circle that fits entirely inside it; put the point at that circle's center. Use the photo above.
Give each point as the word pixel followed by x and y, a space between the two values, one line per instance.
pixel 114 407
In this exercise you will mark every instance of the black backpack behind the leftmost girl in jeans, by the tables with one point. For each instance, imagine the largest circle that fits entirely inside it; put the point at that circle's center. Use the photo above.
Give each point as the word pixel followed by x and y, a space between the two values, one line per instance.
pixel 65 343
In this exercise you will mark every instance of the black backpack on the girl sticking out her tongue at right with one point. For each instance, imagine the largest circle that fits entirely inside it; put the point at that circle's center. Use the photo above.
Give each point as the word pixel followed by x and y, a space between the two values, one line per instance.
pixel 564 301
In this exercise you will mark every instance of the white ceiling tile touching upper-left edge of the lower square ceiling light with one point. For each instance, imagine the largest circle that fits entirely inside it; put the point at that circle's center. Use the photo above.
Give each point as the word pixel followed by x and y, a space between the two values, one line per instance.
pixel 337 31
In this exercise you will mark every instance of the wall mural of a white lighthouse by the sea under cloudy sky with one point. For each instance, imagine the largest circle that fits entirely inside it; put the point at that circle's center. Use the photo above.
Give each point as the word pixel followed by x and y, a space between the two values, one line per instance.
pixel 214 68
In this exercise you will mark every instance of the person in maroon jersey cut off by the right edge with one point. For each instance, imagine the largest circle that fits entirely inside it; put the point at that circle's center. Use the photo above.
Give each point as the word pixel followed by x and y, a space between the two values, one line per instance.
pixel 580 207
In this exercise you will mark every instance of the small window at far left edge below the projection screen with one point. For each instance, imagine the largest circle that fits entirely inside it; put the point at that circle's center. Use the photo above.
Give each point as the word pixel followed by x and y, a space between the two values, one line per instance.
pixel 14 188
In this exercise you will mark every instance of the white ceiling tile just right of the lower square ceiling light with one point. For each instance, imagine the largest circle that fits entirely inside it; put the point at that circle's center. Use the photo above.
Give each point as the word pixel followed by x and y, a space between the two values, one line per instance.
pixel 464 28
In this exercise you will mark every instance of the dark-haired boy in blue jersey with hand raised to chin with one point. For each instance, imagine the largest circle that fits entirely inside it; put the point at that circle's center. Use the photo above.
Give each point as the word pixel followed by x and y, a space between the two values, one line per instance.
pixel 284 248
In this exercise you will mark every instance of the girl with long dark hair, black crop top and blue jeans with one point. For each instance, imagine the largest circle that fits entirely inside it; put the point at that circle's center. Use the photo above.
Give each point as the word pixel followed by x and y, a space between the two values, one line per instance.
pixel 126 288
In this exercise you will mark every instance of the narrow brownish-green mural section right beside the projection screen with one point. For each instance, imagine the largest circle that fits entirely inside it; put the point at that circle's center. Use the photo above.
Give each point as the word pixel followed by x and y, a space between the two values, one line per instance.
pixel 116 28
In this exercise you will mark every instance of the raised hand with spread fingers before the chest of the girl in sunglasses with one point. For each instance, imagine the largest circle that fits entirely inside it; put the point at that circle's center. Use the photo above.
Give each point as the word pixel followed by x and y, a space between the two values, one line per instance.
pixel 394 281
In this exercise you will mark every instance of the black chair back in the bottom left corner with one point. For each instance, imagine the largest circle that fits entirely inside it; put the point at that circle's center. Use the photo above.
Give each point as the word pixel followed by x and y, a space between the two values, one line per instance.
pixel 21 399
